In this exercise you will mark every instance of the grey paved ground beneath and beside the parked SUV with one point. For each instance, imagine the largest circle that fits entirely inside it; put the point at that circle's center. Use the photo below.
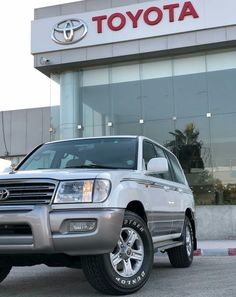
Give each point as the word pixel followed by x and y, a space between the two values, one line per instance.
pixel 207 277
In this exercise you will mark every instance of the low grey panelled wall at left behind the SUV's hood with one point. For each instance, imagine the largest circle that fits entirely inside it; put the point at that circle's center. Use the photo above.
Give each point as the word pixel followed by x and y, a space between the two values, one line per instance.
pixel 22 130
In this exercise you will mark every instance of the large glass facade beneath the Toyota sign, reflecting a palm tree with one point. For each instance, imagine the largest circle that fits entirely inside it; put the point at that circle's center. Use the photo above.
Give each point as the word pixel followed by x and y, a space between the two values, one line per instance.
pixel 186 103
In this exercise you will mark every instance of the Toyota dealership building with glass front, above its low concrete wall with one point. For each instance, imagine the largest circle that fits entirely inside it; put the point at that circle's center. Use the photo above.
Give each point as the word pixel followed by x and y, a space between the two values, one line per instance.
pixel 165 69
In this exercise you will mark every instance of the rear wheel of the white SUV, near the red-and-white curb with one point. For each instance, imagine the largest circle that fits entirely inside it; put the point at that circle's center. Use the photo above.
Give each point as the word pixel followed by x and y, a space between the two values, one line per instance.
pixel 182 256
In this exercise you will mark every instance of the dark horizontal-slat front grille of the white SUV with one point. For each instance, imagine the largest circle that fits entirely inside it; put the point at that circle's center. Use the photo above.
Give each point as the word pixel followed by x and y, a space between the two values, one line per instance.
pixel 27 192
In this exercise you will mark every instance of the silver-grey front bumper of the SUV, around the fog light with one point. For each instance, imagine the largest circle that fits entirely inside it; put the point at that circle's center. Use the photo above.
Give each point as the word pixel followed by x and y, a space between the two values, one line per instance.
pixel 49 234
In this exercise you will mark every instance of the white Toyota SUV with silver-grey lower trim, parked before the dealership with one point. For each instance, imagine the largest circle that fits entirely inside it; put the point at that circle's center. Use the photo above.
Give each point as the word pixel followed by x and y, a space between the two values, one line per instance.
pixel 102 204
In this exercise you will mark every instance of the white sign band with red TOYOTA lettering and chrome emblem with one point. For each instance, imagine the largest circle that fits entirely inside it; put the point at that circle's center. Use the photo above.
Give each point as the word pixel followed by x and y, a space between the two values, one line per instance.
pixel 133 22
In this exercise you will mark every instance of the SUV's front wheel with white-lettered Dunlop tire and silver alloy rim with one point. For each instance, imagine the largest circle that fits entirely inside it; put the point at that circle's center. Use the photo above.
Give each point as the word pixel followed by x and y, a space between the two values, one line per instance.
pixel 128 267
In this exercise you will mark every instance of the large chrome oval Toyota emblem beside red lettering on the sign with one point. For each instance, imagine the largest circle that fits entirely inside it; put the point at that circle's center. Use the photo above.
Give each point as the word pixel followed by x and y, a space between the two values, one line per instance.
pixel 69 31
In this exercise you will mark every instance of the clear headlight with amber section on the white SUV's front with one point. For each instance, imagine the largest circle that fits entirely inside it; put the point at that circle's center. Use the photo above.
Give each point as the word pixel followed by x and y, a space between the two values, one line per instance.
pixel 82 191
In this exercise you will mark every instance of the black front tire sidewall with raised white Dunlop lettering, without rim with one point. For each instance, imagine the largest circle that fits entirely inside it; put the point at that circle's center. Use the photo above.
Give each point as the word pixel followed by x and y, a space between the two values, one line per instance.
pixel 139 279
